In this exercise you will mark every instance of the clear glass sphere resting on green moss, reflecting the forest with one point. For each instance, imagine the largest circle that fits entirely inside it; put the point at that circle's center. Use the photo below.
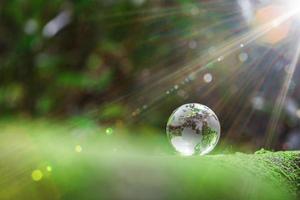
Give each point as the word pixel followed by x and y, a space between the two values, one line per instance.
pixel 193 129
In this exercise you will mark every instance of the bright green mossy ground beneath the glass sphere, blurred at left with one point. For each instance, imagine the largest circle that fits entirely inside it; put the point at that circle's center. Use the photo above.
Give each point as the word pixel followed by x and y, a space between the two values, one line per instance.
pixel 40 160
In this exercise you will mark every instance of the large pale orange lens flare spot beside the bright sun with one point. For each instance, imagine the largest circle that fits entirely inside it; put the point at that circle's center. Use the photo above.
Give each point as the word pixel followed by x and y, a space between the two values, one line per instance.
pixel 269 15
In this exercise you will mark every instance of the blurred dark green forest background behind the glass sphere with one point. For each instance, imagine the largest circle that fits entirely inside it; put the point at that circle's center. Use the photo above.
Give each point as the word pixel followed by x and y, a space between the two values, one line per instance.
pixel 113 63
